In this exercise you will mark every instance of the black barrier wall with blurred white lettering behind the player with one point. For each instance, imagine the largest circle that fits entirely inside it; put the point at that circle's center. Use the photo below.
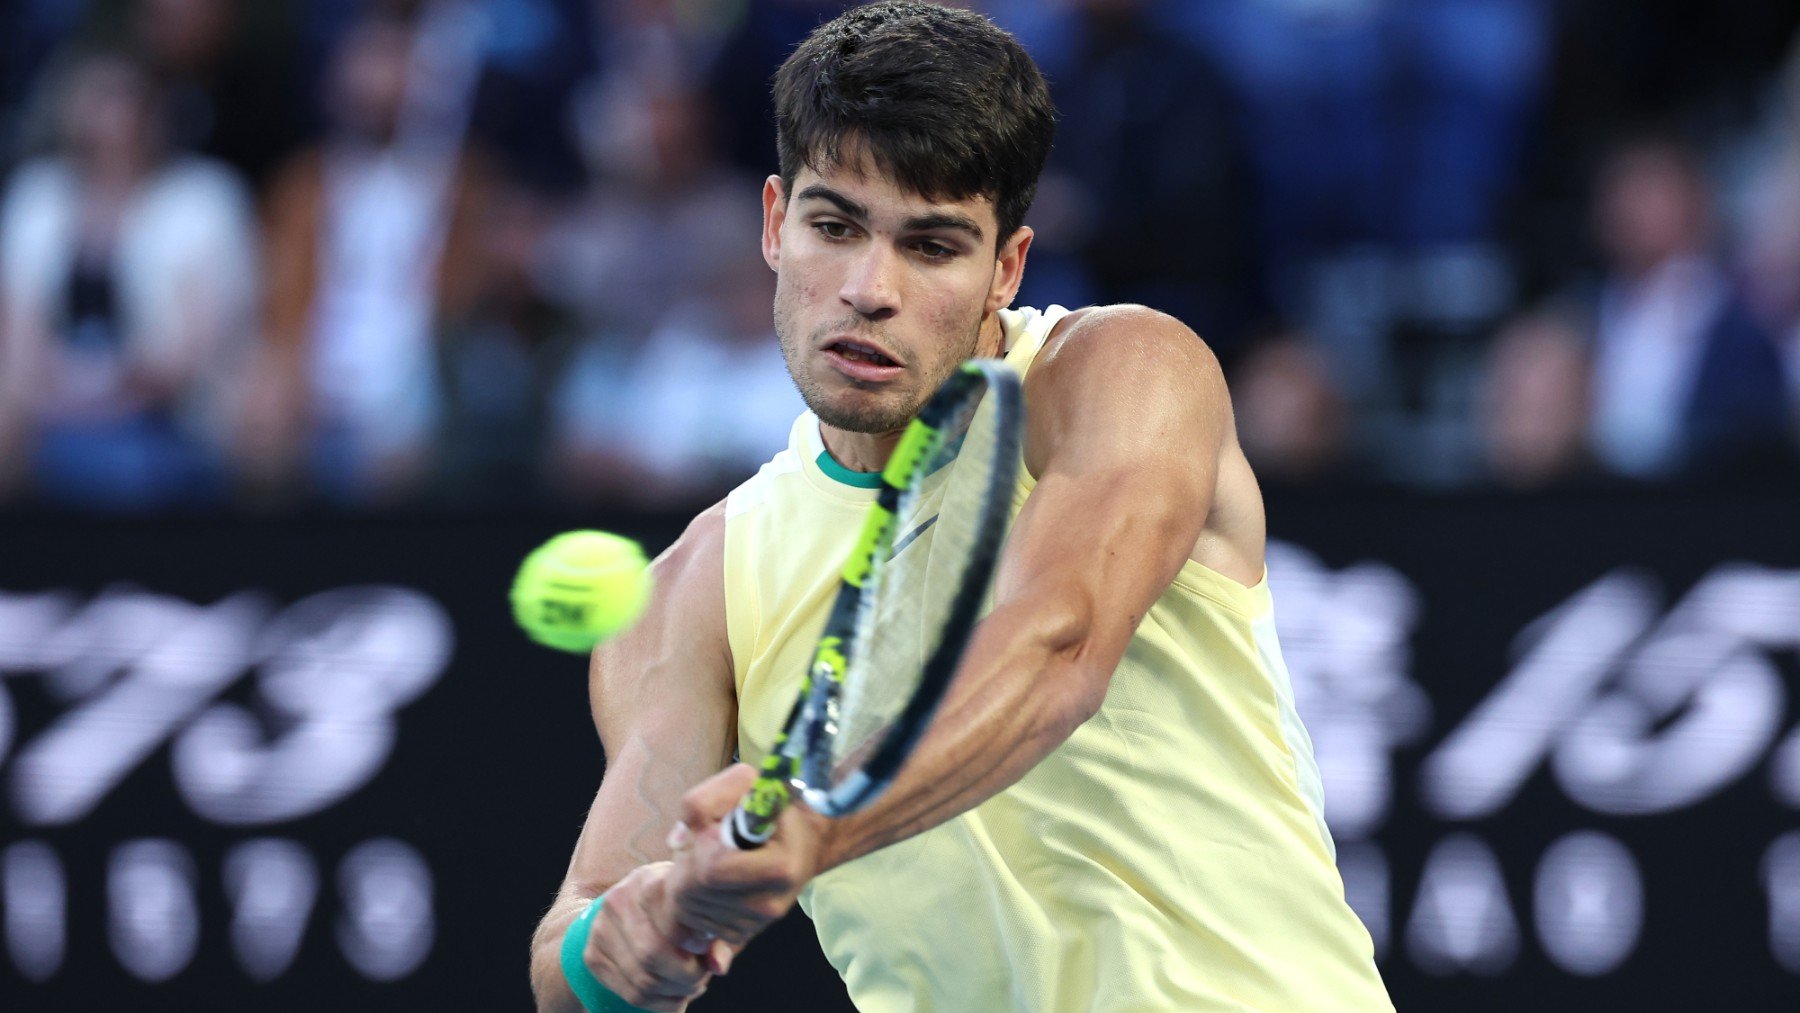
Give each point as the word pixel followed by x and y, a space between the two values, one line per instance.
pixel 256 766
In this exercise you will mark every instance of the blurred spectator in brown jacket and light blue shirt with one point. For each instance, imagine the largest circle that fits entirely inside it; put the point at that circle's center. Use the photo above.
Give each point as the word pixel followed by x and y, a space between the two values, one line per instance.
pixel 372 238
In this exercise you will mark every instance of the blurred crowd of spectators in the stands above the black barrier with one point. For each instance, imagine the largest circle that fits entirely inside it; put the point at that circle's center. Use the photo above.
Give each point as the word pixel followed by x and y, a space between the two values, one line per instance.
pixel 505 253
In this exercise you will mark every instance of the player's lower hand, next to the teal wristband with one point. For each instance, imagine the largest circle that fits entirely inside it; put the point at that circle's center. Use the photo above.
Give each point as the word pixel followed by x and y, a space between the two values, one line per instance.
pixel 631 949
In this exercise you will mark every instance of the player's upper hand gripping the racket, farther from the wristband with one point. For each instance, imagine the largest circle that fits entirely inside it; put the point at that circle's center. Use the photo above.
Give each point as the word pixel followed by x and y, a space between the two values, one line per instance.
pixel 733 895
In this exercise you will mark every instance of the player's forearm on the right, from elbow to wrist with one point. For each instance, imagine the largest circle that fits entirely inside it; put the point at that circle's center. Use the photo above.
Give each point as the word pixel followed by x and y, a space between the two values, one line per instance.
pixel 1023 688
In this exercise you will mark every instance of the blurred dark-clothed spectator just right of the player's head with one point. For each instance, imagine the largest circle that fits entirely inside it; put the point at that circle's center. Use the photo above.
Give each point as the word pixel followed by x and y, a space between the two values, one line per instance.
pixel 1147 192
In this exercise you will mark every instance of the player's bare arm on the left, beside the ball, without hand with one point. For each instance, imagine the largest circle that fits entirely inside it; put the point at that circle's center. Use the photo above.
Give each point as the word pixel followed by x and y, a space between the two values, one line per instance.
pixel 665 712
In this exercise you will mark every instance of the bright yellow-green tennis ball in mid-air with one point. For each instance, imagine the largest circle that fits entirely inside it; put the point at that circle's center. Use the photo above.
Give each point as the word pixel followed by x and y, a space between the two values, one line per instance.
pixel 580 587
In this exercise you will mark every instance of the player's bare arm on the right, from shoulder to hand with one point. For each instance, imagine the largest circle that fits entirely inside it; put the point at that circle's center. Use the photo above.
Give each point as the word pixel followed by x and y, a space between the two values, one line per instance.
pixel 1129 424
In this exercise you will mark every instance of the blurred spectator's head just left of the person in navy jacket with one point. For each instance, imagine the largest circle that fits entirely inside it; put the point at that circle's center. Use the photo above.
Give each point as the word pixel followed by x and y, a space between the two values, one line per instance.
pixel 1534 404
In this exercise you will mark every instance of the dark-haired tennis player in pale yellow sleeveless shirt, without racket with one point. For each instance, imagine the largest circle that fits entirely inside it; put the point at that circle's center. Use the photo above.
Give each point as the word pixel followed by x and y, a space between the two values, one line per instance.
pixel 1117 805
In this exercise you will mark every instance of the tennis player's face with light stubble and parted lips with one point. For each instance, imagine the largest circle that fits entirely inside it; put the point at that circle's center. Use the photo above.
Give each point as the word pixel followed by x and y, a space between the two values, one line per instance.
pixel 881 294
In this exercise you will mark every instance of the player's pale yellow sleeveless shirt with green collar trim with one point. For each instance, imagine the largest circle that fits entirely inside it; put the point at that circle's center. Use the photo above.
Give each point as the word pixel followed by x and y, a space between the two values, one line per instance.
pixel 1169 857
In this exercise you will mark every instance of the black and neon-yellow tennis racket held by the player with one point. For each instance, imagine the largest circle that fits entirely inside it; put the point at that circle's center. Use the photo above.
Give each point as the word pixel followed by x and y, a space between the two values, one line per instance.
pixel 908 604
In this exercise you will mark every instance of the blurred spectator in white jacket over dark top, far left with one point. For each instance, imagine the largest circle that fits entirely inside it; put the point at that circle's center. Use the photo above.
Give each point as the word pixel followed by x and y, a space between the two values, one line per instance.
pixel 129 280
